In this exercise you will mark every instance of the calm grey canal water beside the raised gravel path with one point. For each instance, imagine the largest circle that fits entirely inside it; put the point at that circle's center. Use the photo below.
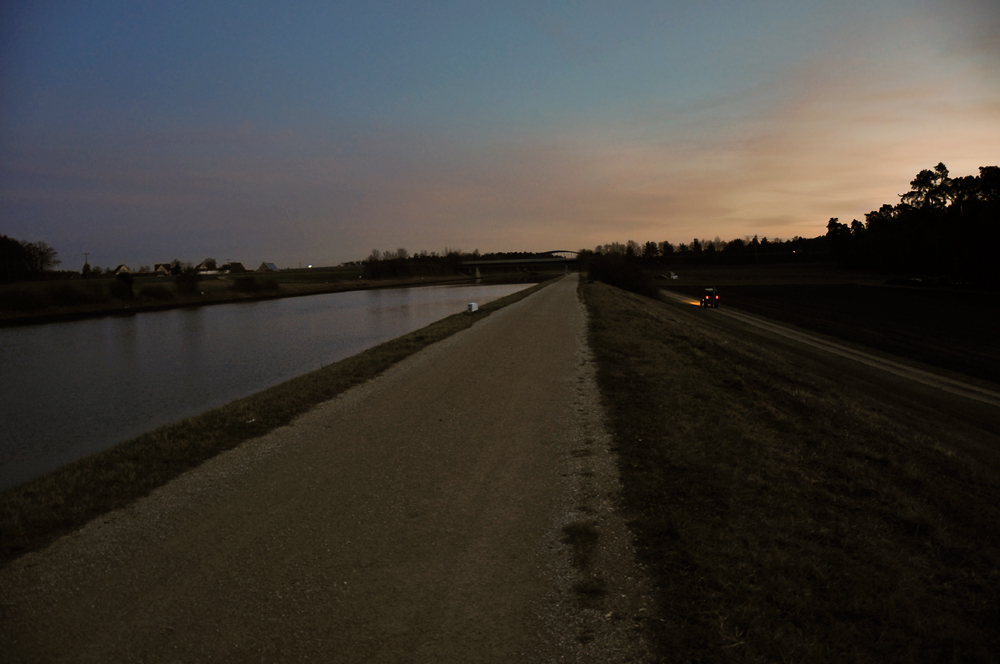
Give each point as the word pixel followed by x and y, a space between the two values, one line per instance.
pixel 71 389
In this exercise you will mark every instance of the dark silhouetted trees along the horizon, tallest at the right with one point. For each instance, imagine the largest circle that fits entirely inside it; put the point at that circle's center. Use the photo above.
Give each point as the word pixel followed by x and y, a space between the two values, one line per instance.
pixel 943 226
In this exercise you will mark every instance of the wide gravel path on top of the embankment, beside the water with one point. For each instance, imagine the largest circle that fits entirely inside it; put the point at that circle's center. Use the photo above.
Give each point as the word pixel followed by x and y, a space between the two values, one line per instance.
pixel 414 519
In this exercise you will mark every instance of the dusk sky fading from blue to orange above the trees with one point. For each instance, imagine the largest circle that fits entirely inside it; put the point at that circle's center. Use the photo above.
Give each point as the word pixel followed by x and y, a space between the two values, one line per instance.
pixel 314 132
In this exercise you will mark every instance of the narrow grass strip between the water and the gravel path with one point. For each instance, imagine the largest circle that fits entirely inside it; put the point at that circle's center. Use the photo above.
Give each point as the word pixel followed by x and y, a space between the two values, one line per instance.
pixel 40 510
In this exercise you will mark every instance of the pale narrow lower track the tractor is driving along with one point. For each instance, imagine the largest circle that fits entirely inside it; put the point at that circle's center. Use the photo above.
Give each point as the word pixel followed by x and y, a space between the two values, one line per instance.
pixel 936 381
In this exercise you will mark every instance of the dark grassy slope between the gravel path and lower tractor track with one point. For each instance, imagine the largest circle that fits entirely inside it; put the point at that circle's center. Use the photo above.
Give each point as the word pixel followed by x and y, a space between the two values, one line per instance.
pixel 783 515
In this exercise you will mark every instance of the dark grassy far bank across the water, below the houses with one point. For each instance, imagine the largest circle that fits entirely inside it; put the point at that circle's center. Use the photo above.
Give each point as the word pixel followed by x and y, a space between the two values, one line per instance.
pixel 45 301
